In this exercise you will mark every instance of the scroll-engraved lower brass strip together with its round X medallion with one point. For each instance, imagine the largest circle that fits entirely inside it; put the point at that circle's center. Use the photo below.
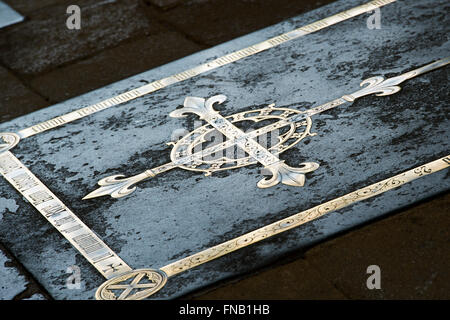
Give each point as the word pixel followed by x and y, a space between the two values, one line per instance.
pixel 142 283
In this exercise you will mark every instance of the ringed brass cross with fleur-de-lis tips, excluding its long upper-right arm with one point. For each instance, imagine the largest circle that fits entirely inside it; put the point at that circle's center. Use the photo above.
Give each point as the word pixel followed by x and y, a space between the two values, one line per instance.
pixel 297 126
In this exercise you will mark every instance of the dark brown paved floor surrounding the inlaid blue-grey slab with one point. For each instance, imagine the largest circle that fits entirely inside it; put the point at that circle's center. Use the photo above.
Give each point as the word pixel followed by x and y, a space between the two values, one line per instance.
pixel 42 63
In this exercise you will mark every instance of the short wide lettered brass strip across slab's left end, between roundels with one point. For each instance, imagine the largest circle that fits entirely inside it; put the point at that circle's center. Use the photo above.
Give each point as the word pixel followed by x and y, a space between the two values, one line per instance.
pixel 61 217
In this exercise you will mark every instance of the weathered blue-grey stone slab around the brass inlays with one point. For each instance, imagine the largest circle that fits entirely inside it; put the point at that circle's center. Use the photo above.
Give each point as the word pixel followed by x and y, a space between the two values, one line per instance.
pixel 181 212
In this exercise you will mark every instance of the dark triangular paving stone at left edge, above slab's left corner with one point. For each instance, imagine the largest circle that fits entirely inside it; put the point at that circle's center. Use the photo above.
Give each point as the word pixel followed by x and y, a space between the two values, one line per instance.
pixel 16 98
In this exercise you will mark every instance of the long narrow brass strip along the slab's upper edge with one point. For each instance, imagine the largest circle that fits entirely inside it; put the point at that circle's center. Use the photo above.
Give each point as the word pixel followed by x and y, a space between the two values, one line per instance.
pixel 219 62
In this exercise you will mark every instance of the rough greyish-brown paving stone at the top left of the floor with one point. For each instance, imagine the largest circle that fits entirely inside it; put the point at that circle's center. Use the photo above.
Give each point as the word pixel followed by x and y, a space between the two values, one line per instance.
pixel 44 41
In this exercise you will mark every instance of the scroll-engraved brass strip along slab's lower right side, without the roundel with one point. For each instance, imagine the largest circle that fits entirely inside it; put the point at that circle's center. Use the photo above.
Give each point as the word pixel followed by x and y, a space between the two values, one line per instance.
pixel 304 217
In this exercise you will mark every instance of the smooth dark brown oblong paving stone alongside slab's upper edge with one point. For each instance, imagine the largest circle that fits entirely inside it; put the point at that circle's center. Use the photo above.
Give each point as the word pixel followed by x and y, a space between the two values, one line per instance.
pixel 113 65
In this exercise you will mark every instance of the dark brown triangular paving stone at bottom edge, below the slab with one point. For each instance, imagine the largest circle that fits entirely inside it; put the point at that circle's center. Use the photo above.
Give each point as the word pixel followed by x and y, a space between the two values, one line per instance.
pixel 295 280
